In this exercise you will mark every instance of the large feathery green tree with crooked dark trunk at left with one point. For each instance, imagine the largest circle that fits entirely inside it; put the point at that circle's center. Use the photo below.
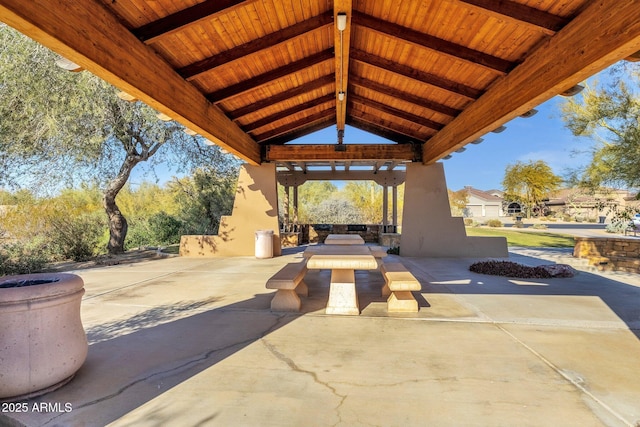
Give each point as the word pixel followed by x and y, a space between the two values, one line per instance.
pixel 63 128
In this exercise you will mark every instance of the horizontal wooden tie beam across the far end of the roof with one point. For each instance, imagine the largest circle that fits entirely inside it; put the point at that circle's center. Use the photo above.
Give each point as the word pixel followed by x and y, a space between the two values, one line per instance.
pixel 308 152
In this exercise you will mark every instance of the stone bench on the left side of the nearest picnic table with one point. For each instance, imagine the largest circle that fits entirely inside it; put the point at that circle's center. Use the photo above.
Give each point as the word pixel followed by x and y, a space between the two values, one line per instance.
pixel 289 284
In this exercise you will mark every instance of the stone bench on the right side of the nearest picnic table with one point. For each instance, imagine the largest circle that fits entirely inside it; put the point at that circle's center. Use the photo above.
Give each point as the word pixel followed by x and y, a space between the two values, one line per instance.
pixel 399 282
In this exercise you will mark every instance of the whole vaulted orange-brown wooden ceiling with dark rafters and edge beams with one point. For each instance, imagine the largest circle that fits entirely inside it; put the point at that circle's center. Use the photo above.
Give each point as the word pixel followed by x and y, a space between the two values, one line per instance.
pixel 252 76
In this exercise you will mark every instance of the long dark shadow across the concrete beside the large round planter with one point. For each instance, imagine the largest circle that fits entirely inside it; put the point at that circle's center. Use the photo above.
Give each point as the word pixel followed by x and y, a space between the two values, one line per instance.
pixel 131 362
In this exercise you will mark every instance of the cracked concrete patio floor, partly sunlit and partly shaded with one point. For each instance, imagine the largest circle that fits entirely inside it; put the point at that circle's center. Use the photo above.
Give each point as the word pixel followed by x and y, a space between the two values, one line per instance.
pixel 192 342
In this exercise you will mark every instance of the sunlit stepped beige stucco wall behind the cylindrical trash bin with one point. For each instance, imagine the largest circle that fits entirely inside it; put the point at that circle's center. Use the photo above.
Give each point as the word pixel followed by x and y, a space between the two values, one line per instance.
pixel 255 208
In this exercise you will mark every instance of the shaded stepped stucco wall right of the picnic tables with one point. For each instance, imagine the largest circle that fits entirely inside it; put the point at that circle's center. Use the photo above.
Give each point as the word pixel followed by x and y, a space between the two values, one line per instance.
pixel 428 229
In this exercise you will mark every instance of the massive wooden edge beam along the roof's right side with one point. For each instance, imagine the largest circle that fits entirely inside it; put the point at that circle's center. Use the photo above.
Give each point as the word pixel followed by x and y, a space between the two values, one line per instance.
pixel 605 32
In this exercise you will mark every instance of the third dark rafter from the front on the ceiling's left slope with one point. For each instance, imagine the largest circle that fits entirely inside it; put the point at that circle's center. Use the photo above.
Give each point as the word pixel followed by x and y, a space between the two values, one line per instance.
pixel 268 77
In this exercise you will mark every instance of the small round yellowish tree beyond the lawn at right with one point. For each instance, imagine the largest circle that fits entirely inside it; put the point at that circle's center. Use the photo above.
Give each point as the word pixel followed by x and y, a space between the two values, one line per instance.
pixel 529 183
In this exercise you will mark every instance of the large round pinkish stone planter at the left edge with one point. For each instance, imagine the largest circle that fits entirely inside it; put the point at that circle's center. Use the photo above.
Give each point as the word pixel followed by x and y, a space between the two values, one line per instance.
pixel 42 341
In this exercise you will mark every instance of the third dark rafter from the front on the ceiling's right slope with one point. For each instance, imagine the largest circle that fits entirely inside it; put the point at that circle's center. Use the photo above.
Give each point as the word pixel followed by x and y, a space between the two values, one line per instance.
pixel 388 65
